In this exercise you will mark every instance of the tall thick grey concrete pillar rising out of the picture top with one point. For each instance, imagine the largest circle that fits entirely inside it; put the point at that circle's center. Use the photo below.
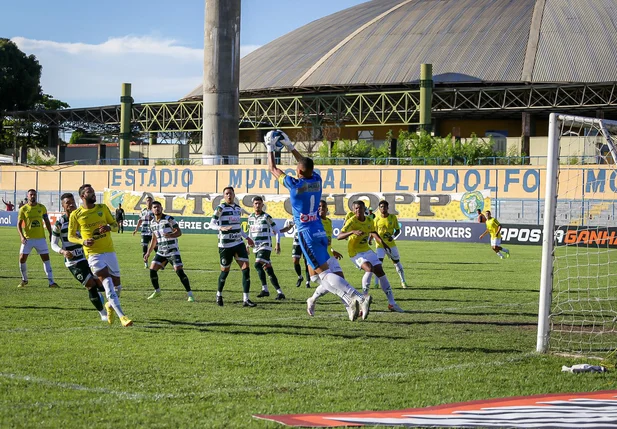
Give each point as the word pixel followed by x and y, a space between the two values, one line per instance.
pixel 221 81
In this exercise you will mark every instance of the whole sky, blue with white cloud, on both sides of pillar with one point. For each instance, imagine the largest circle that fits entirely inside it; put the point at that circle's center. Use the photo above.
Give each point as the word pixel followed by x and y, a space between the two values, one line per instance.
pixel 88 48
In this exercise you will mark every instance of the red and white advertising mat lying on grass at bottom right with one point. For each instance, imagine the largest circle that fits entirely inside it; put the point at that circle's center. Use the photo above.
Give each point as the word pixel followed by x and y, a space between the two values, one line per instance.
pixel 581 410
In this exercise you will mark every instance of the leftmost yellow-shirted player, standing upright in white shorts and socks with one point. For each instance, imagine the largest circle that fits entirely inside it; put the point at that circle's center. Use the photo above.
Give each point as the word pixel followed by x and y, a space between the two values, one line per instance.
pixel 30 220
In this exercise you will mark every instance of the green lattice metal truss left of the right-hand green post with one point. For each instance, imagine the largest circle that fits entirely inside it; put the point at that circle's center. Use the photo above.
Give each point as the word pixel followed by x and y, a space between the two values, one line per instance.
pixel 352 109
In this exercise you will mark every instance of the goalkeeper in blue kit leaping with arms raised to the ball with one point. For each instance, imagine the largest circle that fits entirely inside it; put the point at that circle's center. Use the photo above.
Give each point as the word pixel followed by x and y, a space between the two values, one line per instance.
pixel 305 195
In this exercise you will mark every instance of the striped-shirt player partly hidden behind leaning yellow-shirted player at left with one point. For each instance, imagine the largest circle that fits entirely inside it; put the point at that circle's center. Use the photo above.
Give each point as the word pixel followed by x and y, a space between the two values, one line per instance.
pixel 74 255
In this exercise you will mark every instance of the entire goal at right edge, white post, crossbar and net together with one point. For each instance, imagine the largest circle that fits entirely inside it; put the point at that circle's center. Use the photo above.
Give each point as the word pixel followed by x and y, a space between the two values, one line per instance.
pixel 578 290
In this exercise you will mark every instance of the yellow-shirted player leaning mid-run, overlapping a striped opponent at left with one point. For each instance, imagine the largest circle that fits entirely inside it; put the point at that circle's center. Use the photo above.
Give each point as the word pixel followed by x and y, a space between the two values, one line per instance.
pixel 90 225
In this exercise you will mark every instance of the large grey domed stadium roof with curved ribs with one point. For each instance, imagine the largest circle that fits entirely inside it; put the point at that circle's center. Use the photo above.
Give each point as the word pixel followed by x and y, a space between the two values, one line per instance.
pixel 383 42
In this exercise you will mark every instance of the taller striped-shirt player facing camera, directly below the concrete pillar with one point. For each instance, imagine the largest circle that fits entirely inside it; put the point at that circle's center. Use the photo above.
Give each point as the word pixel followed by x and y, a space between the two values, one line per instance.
pixel 227 221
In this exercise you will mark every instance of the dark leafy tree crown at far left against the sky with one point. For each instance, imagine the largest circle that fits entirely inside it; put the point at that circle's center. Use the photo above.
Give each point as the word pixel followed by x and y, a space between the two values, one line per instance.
pixel 20 78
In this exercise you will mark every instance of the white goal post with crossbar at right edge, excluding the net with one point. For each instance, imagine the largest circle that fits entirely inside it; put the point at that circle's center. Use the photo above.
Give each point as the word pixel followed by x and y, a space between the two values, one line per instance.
pixel 556 121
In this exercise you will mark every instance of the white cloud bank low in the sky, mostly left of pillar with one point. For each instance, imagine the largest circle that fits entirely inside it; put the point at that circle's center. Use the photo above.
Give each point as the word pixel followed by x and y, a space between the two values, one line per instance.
pixel 86 75
